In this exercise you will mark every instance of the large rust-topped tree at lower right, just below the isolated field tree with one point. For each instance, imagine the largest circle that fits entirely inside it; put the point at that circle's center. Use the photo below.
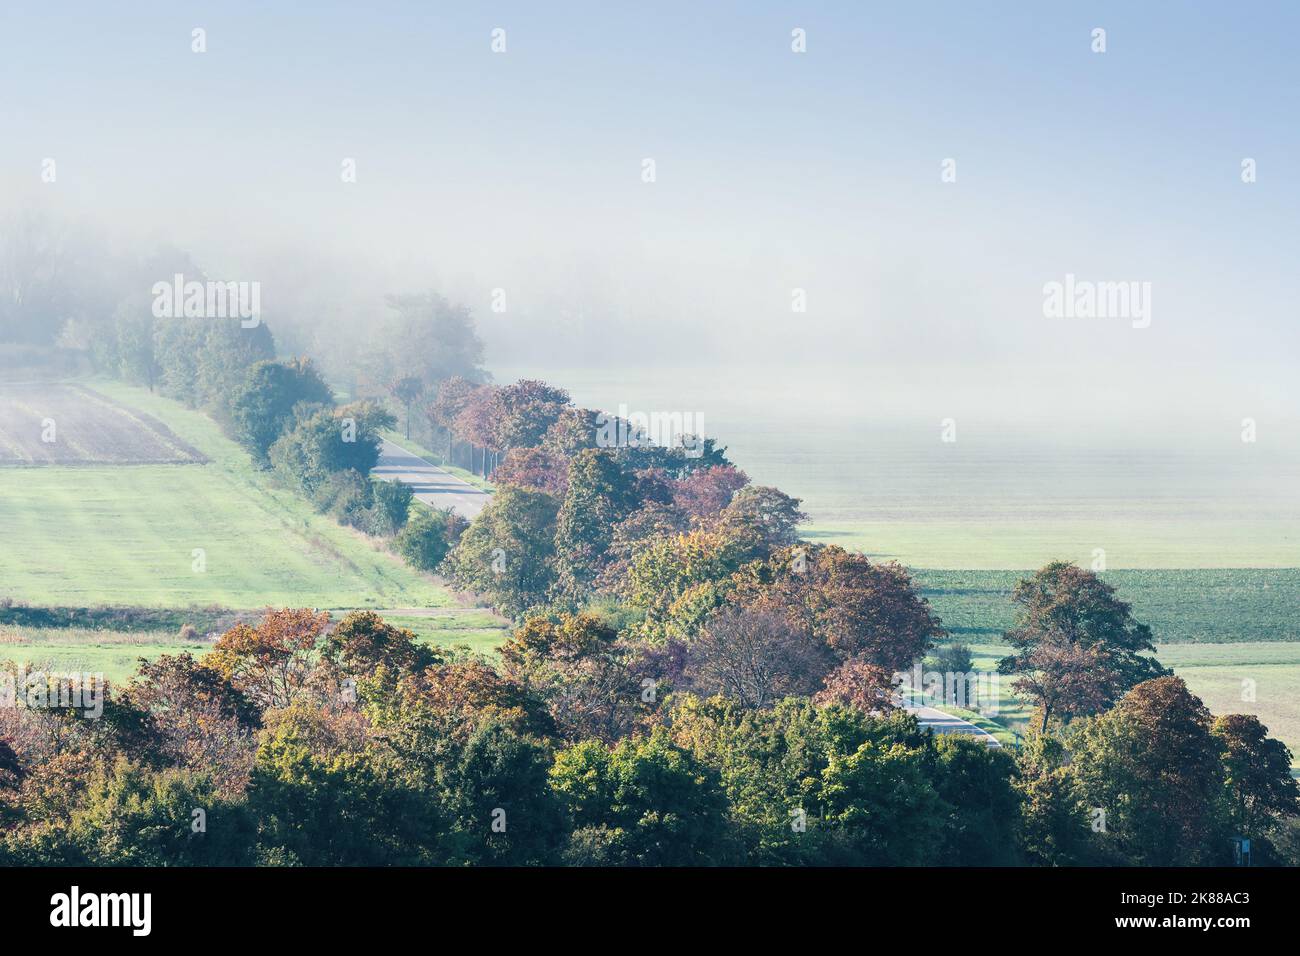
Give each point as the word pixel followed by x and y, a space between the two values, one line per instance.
pixel 1152 767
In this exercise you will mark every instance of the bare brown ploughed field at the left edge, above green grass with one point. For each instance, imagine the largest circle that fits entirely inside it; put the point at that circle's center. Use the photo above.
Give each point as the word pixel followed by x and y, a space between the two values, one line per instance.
pixel 49 423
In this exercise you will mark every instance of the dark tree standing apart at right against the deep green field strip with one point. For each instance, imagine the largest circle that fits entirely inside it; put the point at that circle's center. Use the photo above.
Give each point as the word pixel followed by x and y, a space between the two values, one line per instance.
pixel 1078 646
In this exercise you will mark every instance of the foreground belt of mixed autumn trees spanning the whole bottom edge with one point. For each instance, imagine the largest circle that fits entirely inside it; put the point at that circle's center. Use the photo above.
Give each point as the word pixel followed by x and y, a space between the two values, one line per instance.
pixel 302 742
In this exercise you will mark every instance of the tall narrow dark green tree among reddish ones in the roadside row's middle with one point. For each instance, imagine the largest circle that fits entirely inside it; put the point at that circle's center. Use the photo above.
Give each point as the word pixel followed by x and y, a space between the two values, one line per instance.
pixel 600 495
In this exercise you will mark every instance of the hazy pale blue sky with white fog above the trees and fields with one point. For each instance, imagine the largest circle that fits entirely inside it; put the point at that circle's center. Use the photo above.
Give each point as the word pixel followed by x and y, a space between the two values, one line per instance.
pixel 775 172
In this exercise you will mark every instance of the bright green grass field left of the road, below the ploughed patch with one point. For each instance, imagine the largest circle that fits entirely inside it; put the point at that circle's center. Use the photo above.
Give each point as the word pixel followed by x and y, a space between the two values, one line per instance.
pixel 132 534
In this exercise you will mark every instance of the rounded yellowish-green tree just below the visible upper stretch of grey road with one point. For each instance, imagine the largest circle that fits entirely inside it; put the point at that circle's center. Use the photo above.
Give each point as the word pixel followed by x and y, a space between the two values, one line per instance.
pixel 506 553
